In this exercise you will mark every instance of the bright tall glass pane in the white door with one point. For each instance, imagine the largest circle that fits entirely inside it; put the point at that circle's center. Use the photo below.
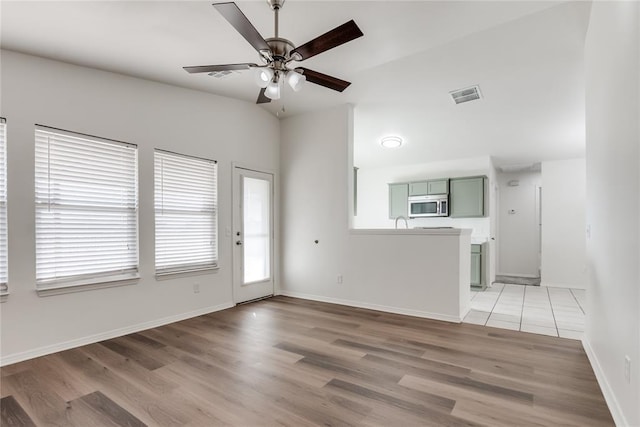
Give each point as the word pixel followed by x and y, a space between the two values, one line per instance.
pixel 257 230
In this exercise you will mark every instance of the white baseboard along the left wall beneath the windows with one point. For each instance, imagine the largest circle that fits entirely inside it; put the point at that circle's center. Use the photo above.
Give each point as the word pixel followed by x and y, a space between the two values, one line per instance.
pixel 54 348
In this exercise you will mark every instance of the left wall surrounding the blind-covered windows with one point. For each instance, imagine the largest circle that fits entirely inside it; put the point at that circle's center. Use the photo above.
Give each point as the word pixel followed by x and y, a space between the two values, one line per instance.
pixel 149 114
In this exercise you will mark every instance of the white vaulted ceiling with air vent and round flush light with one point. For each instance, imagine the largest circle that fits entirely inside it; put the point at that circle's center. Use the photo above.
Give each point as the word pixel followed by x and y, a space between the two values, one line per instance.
pixel 526 56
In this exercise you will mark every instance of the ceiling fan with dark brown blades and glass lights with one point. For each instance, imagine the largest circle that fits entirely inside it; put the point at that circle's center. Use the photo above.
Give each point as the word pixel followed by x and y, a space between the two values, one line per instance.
pixel 277 54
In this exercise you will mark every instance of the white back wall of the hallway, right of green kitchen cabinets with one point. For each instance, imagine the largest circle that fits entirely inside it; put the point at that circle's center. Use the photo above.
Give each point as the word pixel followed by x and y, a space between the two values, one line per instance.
pixel 518 237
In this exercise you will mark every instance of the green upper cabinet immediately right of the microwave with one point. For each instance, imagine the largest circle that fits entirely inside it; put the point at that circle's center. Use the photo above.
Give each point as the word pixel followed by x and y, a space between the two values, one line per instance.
pixel 466 198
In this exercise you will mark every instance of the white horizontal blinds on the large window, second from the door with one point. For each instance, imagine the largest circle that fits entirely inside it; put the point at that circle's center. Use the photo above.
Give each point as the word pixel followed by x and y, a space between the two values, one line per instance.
pixel 86 209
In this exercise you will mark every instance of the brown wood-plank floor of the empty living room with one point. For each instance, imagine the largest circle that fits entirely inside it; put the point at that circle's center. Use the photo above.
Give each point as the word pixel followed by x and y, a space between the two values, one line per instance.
pixel 285 361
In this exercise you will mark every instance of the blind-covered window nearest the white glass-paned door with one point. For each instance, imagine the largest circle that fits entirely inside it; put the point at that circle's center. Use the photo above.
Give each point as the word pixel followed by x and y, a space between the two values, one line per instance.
pixel 186 213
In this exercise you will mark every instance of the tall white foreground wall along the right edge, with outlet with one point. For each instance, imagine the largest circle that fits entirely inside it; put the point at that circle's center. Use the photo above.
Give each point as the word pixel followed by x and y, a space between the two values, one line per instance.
pixel 612 54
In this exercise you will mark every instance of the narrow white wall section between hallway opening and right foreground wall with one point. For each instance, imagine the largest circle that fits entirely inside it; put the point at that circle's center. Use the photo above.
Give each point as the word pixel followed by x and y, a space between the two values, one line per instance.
pixel 564 241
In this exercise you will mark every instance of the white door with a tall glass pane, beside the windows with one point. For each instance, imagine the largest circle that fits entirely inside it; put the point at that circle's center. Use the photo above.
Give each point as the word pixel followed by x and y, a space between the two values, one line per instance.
pixel 252 234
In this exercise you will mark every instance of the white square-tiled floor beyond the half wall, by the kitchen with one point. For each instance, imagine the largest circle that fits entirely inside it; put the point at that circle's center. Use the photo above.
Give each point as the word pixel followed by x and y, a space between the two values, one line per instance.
pixel 537 309
